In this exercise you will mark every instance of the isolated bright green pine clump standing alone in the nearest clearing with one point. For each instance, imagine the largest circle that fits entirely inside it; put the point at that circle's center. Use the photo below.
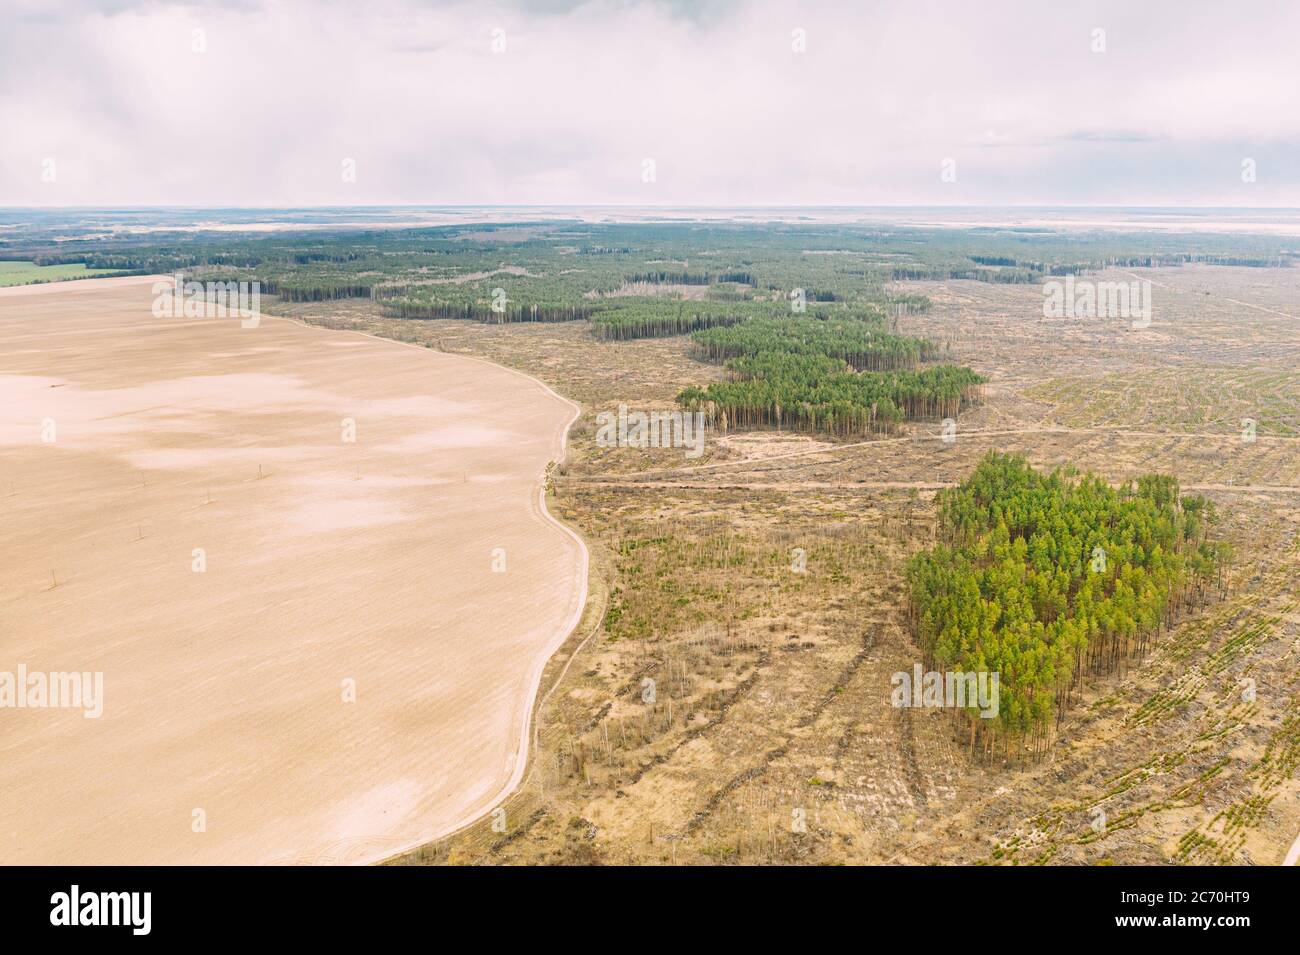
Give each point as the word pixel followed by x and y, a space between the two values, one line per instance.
pixel 1045 579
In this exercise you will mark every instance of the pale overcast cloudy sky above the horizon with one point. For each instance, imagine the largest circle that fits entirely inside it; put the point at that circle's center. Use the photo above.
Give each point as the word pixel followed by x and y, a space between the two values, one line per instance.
pixel 735 102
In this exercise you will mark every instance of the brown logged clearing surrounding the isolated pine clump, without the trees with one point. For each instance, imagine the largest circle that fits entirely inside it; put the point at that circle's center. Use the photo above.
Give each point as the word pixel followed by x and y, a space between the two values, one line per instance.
pixel 772 688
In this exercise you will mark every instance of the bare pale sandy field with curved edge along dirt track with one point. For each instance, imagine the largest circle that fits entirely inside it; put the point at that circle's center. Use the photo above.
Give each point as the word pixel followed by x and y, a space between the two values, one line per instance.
pixel 315 650
